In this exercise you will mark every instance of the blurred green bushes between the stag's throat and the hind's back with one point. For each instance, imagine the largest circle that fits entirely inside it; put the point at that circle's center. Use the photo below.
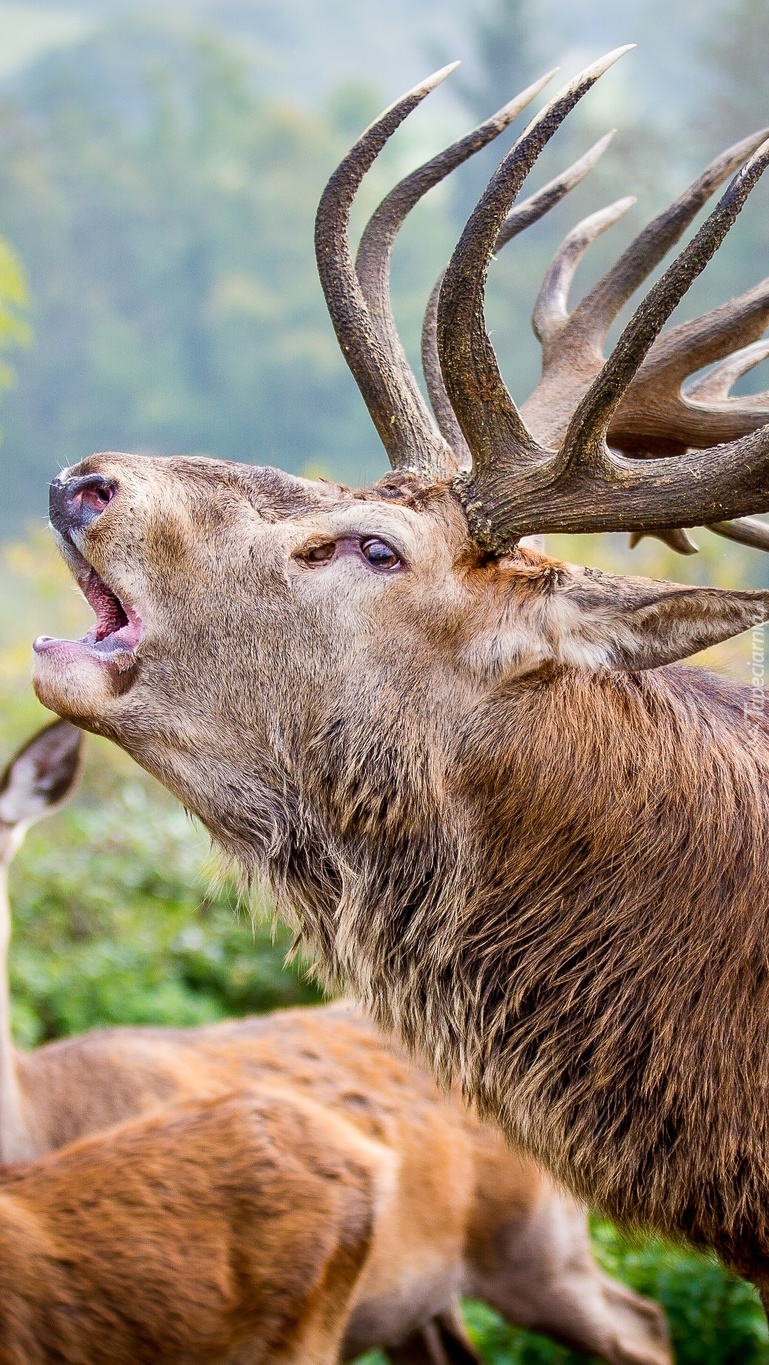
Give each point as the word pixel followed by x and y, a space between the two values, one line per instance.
pixel 117 923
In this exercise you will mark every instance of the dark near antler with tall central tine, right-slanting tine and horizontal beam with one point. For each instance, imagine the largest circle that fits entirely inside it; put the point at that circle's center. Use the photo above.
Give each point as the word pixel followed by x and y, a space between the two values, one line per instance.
pixel 517 485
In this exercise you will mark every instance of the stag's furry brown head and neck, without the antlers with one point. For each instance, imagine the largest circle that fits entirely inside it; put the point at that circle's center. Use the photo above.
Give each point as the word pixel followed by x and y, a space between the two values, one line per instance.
pixel 546 869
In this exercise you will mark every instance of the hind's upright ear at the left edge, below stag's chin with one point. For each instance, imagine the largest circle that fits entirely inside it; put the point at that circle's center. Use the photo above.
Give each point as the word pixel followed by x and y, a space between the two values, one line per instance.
pixel 43 775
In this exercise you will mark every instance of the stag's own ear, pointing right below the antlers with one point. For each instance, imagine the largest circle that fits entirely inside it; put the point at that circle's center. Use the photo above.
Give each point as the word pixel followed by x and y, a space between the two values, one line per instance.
pixel 624 623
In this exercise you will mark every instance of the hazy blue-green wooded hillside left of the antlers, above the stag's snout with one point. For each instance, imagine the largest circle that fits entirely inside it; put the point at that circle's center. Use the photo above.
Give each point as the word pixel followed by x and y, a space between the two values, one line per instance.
pixel 166 212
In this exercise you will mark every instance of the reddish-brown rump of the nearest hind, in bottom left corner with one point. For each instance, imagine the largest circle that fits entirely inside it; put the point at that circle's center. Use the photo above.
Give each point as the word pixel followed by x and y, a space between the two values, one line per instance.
pixel 225 1232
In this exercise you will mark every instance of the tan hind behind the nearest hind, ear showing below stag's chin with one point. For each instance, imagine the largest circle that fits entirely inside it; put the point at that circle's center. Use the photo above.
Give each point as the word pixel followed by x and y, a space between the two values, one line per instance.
pixel 457 1210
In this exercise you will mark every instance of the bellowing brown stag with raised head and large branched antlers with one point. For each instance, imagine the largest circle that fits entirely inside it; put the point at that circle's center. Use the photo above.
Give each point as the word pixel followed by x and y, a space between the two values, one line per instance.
pixel 480 784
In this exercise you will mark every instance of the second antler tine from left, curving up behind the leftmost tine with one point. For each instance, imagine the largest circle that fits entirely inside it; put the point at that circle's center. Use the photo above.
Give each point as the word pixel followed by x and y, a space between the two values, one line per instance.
pixel 375 252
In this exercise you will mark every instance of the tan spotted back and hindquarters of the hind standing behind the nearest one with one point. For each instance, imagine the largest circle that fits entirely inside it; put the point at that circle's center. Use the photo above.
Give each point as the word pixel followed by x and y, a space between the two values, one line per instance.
pixel 456 1211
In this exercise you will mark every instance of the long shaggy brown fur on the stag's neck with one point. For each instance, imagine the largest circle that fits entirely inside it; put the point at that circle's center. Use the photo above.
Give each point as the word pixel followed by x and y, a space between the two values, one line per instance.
pixel 602 985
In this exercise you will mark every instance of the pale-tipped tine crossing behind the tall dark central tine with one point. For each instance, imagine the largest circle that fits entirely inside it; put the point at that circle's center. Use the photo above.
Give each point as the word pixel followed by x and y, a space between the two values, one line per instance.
pixel 521 218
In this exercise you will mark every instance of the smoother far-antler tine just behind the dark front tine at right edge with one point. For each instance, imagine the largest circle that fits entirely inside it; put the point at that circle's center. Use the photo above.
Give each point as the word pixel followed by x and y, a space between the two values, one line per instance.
pixel 602 305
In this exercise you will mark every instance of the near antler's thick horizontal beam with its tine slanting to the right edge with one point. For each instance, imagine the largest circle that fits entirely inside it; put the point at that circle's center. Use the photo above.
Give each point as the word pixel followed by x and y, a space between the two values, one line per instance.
pixel 585 487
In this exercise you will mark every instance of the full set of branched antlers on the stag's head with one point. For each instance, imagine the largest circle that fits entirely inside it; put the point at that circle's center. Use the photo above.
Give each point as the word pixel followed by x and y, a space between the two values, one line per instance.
pixel 562 466
